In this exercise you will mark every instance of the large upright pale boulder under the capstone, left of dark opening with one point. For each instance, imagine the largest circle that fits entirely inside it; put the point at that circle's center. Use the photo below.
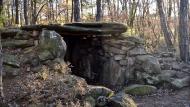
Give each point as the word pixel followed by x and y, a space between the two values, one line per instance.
pixel 51 45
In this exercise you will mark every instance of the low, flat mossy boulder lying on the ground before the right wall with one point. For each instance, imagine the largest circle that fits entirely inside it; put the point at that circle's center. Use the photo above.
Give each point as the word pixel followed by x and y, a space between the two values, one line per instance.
pixel 138 89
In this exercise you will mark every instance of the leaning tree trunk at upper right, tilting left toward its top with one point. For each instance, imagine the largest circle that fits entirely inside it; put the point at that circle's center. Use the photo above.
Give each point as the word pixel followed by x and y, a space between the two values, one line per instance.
pixel 164 25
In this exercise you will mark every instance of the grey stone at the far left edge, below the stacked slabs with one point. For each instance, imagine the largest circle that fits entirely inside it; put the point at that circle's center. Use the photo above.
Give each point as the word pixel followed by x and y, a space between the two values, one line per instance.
pixel 11 60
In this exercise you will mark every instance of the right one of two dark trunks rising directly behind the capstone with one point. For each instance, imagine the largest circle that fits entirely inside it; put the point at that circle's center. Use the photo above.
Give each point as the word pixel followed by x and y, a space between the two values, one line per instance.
pixel 99 10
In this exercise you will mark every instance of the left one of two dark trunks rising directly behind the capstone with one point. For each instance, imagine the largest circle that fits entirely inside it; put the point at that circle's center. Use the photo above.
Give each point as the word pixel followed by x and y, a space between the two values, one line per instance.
pixel 77 11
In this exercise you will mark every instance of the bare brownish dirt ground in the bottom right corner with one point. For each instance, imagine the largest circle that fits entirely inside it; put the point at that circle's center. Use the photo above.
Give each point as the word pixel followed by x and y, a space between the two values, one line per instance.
pixel 166 98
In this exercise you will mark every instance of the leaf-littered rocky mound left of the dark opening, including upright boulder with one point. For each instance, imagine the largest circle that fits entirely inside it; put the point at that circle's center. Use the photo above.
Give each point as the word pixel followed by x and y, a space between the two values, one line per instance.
pixel 37 75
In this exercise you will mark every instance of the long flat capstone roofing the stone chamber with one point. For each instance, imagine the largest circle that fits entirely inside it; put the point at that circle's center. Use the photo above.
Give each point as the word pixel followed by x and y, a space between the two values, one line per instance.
pixel 81 29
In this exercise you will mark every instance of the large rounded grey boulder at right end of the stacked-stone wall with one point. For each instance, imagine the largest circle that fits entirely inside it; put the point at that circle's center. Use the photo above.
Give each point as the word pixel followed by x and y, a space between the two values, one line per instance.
pixel 148 64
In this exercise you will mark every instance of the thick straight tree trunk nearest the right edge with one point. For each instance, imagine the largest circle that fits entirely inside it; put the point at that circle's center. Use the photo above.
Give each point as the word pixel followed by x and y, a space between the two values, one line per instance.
pixel 184 30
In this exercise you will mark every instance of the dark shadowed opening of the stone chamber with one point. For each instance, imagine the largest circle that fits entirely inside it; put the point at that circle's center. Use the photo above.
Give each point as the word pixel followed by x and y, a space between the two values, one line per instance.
pixel 84 53
